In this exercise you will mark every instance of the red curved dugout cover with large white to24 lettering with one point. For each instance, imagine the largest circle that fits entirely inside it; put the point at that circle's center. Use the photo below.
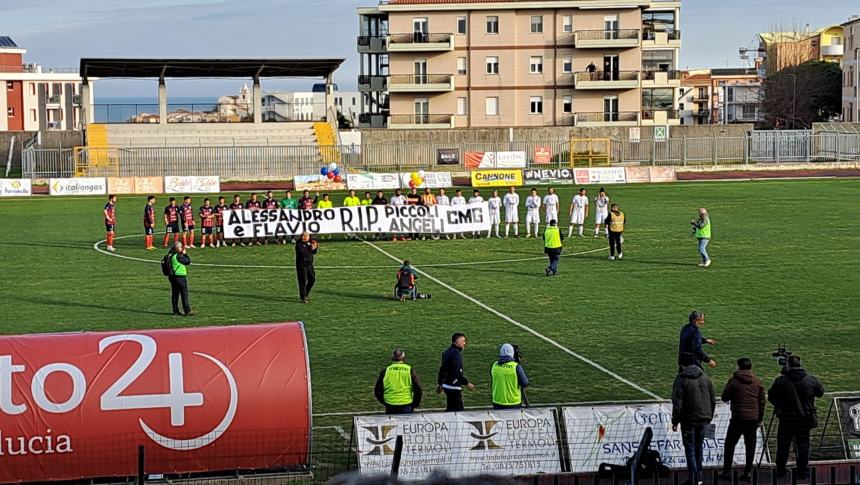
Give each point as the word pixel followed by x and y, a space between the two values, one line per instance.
pixel 76 406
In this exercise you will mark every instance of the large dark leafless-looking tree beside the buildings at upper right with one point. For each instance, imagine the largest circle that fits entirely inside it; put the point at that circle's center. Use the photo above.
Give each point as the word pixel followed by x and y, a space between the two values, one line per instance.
pixel 796 97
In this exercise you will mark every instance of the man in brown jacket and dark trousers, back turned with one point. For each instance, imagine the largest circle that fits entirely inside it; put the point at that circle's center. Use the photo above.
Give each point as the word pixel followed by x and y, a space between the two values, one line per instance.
pixel 745 392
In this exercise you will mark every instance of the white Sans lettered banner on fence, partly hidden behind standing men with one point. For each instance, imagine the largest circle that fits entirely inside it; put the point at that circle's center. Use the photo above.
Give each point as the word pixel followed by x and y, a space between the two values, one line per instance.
pixel 611 434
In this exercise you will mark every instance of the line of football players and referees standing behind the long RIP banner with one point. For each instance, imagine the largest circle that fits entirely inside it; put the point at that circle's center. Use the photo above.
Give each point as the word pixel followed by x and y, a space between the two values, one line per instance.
pixel 179 219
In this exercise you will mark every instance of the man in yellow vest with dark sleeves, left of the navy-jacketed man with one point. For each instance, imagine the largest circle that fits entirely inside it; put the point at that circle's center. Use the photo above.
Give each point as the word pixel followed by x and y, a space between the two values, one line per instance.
pixel 397 387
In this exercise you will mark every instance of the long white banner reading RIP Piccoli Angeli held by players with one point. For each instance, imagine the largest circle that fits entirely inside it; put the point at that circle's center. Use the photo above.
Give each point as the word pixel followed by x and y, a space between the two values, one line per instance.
pixel 367 219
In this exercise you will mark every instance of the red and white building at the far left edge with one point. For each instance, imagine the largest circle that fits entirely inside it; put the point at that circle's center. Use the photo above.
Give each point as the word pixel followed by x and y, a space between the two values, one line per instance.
pixel 35 97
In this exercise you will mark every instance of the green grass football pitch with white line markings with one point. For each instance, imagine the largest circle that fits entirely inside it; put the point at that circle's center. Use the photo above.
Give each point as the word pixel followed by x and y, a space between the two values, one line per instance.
pixel 785 269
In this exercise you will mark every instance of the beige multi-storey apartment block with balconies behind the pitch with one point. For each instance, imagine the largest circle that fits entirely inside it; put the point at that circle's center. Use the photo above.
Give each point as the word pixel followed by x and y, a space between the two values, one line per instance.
pixel 491 63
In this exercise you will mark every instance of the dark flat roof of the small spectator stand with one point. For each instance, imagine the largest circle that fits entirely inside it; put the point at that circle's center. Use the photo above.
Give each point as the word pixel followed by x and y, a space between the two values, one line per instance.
pixel 207 68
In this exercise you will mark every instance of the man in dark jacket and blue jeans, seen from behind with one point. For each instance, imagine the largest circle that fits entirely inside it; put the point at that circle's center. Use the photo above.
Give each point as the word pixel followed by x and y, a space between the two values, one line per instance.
pixel 693 405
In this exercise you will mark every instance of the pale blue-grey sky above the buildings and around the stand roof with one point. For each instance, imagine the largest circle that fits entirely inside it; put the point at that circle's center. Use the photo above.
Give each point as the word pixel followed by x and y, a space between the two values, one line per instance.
pixel 59 32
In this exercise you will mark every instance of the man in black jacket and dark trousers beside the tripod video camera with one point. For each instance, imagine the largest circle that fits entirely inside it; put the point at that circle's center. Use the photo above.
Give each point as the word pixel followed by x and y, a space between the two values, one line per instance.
pixel 793 397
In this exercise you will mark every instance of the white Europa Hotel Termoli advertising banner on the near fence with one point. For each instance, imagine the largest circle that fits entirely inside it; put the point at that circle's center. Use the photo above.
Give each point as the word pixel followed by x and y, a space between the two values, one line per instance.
pixel 509 442
